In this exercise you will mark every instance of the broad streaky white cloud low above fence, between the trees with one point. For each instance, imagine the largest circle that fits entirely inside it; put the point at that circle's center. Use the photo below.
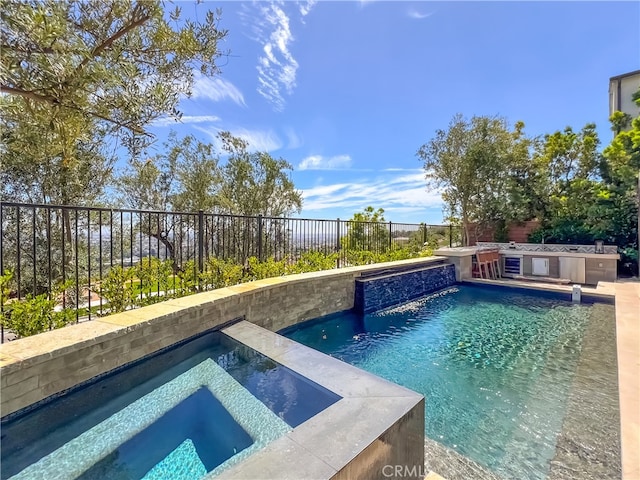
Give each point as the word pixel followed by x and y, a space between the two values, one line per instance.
pixel 393 193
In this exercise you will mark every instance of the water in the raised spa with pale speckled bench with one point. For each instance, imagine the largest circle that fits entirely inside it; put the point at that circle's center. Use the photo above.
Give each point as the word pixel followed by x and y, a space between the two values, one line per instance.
pixel 199 407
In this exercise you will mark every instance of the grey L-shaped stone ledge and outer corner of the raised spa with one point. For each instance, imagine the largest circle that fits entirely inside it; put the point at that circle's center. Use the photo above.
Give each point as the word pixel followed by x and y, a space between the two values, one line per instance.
pixel 375 423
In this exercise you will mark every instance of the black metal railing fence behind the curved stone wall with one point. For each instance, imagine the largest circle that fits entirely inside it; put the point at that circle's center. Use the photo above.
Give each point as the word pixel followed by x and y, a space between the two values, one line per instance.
pixel 47 245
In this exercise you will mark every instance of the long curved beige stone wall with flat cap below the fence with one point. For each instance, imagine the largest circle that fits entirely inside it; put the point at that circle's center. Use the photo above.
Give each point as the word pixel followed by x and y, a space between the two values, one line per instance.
pixel 34 368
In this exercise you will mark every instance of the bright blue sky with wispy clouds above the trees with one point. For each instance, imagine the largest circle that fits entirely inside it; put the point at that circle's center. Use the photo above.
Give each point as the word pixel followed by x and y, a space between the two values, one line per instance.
pixel 347 92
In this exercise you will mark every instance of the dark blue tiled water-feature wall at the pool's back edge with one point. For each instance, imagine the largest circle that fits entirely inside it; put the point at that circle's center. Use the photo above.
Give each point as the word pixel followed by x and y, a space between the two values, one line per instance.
pixel 376 292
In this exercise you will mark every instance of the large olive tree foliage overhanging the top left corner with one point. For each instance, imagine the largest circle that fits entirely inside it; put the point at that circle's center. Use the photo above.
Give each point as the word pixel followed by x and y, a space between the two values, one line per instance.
pixel 81 78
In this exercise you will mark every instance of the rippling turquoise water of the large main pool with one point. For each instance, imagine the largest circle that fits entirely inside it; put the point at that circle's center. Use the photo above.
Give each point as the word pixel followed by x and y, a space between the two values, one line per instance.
pixel 495 366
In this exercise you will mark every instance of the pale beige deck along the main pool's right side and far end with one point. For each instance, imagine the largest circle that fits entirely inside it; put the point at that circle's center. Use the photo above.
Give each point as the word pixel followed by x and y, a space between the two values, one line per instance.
pixel 627 305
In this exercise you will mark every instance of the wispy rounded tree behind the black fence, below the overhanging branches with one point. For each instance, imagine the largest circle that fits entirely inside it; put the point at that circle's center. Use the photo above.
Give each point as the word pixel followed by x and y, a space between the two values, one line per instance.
pixel 189 176
